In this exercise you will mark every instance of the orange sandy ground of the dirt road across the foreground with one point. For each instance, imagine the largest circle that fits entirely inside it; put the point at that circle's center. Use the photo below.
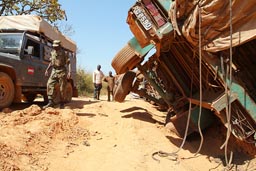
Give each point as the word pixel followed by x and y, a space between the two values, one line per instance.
pixel 99 135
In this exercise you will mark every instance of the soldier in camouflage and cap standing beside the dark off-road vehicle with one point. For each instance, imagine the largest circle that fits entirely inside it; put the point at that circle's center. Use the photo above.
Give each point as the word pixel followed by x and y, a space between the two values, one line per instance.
pixel 59 74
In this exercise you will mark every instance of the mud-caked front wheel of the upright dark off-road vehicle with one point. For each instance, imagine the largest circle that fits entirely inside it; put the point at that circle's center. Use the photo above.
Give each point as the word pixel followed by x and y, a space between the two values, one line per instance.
pixel 6 90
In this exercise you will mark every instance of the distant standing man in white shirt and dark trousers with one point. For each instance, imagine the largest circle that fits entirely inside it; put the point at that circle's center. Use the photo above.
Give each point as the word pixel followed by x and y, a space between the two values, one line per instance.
pixel 97 81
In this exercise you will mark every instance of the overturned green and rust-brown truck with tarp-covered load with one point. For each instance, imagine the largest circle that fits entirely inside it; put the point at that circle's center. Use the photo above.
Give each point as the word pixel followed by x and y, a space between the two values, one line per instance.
pixel 197 59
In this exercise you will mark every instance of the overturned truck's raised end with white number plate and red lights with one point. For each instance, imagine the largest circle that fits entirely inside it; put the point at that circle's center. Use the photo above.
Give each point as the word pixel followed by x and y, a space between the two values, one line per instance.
pixel 148 21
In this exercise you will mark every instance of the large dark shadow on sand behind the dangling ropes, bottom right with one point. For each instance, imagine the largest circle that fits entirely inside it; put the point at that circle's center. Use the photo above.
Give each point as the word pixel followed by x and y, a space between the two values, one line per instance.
pixel 211 142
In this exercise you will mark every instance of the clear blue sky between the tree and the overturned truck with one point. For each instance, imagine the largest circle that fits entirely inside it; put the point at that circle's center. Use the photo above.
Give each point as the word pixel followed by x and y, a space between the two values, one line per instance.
pixel 100 30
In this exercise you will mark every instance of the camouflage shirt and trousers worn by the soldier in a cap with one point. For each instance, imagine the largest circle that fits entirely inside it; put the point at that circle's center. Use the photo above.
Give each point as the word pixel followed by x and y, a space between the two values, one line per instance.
pixel 59 73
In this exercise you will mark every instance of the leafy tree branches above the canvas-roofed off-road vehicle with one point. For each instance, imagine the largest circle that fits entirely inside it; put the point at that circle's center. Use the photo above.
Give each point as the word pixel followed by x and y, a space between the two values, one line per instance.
pixel 47 9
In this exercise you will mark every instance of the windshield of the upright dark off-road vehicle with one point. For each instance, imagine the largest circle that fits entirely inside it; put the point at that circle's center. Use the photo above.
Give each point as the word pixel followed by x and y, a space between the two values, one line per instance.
pixel 10 42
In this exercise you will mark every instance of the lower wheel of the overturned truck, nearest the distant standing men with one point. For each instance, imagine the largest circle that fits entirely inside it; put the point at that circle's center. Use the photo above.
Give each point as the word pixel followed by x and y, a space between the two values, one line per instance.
pixel 123 86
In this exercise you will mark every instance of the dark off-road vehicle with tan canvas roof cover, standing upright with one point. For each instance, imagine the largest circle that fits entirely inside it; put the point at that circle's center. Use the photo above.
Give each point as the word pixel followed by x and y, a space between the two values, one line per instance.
pixel 25 46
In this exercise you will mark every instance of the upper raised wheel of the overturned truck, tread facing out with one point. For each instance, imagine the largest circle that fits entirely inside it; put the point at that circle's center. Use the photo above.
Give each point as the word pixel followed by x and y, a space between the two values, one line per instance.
pixel 125 60
